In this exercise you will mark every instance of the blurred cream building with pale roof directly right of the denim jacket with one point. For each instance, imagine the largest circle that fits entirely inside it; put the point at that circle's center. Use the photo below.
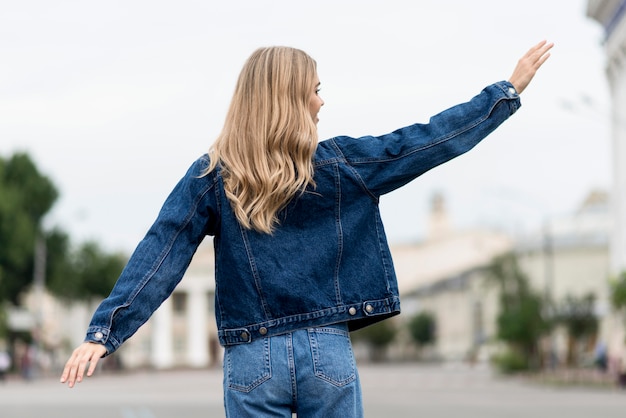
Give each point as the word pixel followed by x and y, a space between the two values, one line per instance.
pixel 444 275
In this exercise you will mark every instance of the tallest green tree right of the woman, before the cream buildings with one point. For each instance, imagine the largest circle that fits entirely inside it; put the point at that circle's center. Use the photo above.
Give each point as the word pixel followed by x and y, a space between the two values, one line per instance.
pixel 520 322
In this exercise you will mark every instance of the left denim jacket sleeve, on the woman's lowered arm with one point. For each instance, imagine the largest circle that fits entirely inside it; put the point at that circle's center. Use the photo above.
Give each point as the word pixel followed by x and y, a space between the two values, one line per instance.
pixel 160 260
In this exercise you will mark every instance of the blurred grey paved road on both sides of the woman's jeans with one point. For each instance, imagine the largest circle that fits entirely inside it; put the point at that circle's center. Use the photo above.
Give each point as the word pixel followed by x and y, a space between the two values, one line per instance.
pixel 389 391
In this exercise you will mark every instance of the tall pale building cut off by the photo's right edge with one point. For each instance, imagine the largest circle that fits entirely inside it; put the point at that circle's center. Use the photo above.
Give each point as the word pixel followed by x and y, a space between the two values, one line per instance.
pixel 612 16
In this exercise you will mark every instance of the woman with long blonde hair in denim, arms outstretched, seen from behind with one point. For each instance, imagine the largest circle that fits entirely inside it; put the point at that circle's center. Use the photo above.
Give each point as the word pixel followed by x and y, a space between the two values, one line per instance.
pixel 301 255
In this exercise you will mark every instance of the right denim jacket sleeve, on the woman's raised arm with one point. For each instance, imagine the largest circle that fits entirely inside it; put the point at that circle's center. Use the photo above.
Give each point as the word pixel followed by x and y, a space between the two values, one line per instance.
pixel 387 162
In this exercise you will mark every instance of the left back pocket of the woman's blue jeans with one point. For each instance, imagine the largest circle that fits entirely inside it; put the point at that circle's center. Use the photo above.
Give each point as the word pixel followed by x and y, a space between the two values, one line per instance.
pixel 247 365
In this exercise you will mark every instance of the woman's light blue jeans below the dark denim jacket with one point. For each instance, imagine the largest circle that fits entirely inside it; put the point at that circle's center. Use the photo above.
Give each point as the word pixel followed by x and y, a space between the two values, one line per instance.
pixel 310 372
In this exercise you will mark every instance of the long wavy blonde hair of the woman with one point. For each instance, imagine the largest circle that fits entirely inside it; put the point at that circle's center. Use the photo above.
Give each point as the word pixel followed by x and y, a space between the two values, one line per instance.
pixel 269 137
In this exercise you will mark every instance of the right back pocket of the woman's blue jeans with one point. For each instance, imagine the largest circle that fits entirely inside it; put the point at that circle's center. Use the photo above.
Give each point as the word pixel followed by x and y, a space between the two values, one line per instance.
pixel 333 359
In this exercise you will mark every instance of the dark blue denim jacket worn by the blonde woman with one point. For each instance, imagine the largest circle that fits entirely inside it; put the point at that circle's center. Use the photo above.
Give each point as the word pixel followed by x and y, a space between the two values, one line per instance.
pixel 327 262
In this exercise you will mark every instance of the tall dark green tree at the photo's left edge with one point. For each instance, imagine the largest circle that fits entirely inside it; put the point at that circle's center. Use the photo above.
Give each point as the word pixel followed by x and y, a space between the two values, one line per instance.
pixel 25 197
